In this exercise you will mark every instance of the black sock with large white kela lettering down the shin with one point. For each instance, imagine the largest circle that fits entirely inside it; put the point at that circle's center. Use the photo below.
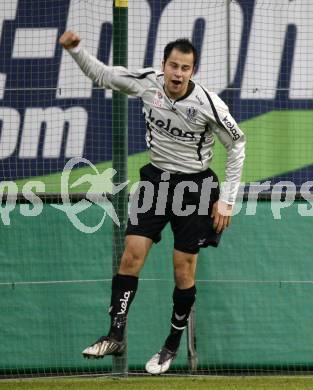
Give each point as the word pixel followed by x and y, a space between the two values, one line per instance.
pixel 124 288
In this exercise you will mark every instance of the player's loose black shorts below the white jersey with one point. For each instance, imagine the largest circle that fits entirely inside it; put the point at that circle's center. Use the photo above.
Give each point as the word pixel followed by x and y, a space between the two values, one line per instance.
pixel 184 200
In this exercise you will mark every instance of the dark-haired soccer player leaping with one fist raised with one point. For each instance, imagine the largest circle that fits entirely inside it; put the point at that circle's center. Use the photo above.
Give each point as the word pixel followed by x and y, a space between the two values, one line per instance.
pixel 182 118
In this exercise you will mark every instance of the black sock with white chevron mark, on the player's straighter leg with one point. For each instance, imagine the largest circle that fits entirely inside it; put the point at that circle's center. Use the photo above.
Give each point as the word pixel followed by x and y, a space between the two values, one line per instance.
pixel 183 300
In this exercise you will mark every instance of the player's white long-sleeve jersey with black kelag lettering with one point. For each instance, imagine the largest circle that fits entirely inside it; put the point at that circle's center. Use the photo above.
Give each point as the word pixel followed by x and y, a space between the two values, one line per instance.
pixel 180 133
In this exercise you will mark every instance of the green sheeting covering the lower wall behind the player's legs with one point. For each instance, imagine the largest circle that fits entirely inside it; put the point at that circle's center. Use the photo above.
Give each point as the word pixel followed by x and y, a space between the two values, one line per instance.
pixel 254 307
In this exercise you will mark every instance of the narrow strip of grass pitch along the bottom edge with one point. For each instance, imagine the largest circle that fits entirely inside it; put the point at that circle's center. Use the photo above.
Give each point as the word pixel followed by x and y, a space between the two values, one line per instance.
pixel 163 383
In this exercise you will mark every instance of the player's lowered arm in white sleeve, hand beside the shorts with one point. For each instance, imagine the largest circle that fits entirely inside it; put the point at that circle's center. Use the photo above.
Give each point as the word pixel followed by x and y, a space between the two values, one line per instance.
pixel 233 139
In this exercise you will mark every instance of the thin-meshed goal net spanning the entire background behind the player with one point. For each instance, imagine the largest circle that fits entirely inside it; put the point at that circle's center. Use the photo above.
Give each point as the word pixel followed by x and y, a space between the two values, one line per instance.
pixel 253 311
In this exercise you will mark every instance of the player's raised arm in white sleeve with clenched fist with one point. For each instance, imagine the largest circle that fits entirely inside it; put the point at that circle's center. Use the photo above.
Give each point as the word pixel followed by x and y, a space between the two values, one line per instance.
pixel 117 78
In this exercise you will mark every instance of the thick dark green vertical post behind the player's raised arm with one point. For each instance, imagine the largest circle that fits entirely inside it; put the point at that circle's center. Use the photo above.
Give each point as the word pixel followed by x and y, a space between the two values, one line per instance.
pixel 119 149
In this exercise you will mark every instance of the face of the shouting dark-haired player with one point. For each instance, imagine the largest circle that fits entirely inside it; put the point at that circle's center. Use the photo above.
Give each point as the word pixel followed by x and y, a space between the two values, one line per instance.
pixel 178 70
